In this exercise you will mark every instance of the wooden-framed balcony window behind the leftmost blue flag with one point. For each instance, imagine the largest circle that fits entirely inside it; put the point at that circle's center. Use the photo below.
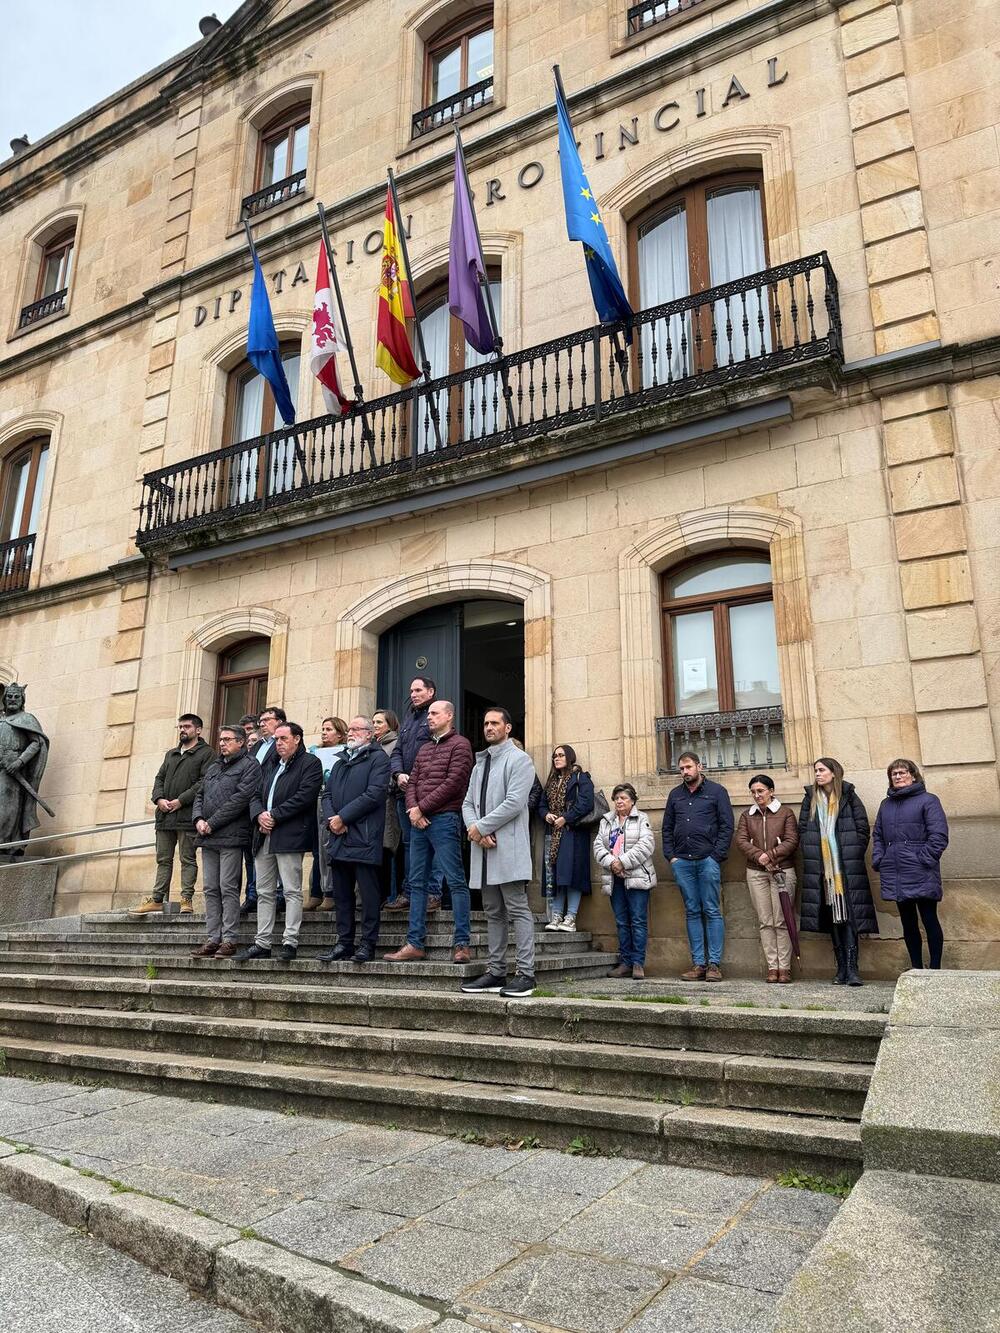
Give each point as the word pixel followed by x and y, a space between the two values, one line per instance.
pixel 250 414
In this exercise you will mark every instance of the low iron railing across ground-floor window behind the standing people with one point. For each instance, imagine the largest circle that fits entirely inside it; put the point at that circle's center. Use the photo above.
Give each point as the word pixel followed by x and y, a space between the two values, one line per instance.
pixel 751 738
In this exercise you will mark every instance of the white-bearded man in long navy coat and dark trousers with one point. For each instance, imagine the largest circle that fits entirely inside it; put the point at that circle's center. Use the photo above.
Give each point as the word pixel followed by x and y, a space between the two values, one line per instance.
pixel 354 806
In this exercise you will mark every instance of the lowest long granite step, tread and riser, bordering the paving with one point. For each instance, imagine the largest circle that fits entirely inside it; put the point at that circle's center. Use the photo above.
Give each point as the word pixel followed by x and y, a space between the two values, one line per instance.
pixel 718 1138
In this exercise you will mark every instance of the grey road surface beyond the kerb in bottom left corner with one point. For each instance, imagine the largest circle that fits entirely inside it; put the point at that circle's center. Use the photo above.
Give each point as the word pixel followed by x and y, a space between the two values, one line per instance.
pixel 54 1280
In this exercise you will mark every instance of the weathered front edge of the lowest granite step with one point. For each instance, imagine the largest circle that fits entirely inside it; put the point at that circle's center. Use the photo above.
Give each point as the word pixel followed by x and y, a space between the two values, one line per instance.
pixel 646 1120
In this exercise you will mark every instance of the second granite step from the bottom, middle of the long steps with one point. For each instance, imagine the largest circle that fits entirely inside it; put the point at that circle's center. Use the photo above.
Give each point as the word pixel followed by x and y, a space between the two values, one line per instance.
pixel 806 1087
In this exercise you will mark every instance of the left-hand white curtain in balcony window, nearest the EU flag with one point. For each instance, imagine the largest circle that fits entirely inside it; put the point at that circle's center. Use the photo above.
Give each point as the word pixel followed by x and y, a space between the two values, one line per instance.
pixel 665 277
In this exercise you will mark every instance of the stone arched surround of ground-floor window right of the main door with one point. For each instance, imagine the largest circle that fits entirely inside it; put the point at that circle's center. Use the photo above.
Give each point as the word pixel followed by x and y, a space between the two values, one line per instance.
pixel 699 533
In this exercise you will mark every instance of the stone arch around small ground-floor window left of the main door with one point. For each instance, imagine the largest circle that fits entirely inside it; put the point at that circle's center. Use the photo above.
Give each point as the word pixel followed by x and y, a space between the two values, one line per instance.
pixel 201 659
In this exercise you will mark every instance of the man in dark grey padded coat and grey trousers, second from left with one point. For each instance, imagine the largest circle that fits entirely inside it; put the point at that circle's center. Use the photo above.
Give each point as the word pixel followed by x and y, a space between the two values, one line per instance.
pixel 223 832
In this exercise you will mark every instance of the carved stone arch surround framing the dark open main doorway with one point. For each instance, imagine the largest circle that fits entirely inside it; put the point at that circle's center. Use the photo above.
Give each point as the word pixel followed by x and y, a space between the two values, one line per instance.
pixel 362 623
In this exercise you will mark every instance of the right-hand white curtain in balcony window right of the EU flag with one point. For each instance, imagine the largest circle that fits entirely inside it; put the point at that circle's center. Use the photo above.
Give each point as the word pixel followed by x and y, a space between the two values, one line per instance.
pixel 735 250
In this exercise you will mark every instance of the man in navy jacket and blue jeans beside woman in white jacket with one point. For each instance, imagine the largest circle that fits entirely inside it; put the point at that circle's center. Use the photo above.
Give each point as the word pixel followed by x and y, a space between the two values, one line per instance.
pixel 698 828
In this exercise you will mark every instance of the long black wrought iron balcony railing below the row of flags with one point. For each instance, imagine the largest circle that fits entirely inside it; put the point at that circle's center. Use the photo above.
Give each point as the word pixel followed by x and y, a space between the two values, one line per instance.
pixel 781 318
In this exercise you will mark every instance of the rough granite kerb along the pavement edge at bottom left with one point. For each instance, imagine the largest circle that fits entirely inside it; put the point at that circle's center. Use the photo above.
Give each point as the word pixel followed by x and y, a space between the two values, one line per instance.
pixel 213 1258
